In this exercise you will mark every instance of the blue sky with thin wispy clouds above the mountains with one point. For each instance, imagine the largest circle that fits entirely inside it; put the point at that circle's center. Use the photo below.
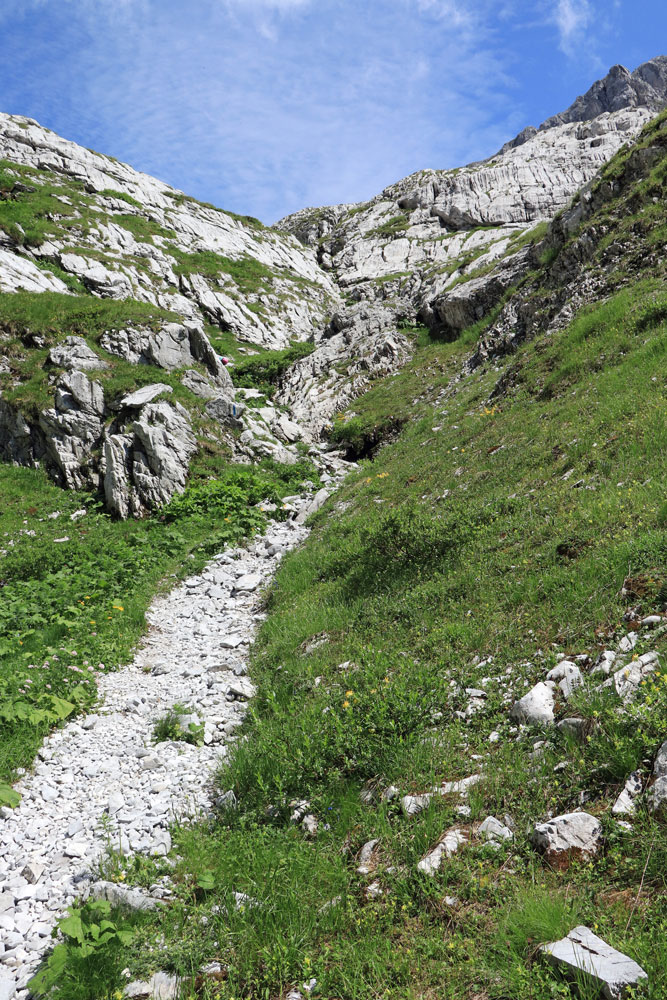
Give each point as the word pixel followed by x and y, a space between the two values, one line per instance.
pixel 267 106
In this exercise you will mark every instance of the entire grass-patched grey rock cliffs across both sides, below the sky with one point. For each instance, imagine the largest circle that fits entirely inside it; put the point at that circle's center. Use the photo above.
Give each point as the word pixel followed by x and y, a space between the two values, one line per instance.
pixel 118 294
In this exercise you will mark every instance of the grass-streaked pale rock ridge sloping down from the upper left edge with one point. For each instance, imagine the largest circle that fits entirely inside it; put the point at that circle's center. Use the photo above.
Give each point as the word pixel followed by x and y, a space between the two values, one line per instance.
pixel 123 234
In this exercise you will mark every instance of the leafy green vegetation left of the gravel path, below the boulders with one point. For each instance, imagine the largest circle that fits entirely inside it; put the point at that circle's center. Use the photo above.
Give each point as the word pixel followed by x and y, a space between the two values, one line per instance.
pixel 74 593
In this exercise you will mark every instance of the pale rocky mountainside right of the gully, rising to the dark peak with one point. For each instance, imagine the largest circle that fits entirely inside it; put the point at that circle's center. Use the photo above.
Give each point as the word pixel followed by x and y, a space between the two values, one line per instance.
pixel 444 247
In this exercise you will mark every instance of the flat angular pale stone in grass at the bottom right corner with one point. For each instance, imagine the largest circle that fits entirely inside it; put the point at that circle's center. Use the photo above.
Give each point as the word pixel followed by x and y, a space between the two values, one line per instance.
pixel 584 955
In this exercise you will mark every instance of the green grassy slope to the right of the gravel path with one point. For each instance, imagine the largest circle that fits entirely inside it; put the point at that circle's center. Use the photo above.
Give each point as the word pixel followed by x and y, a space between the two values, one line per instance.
pixel 486 539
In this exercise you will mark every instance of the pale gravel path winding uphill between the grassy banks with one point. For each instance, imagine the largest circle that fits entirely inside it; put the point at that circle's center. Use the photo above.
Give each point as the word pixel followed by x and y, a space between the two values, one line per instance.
pixel 104 770
